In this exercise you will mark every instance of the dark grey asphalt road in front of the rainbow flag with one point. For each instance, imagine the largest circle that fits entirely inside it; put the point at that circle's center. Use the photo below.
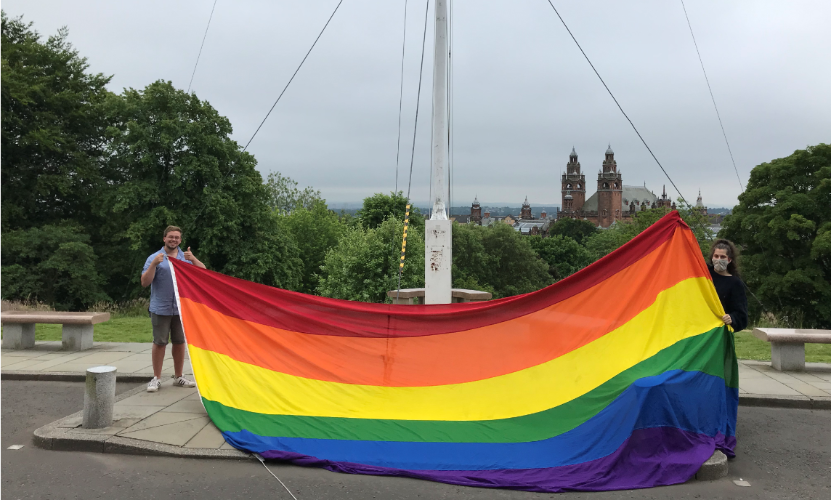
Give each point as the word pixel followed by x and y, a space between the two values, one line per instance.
pixel 782 453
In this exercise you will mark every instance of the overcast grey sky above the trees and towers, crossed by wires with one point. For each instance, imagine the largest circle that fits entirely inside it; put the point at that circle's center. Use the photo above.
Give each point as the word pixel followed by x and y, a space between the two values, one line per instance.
pixel 523 94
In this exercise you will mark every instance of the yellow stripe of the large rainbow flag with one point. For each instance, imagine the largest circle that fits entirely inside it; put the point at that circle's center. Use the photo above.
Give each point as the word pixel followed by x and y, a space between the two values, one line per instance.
pixel 686 309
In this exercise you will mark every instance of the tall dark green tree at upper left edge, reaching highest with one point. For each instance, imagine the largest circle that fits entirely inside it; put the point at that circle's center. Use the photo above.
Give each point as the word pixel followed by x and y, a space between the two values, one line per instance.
pixel 52 129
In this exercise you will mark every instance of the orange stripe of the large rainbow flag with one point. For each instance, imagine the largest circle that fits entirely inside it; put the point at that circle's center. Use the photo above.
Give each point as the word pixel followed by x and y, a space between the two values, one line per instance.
pixel 456 357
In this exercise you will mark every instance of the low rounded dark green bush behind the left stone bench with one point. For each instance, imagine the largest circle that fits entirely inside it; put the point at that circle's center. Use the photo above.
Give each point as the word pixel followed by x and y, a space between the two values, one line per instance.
pixel 52 264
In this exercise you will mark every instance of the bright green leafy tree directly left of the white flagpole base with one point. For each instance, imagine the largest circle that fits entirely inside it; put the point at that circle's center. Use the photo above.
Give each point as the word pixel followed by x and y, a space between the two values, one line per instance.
pixel 363 266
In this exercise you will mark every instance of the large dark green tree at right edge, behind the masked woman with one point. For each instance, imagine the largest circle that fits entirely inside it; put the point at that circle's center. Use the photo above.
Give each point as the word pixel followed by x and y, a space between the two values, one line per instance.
pixel 783 225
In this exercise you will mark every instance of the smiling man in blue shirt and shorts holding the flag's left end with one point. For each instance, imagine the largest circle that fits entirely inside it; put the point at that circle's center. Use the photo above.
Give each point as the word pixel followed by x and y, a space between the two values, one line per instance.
pixel 164 312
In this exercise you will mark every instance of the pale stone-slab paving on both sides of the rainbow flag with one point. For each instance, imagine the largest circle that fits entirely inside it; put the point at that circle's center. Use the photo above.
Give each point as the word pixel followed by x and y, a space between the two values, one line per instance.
pixel 173 420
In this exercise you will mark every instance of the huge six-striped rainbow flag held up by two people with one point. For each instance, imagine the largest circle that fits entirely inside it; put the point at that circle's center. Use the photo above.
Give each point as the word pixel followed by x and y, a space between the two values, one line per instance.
pixel 620 376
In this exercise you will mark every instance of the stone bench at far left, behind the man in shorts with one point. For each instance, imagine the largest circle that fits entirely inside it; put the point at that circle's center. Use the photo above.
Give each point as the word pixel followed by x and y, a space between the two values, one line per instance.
pixel 76 331
